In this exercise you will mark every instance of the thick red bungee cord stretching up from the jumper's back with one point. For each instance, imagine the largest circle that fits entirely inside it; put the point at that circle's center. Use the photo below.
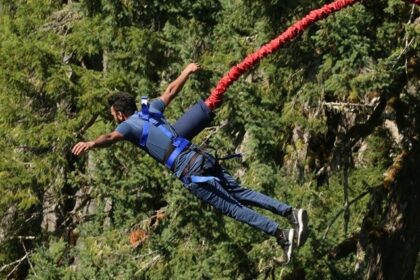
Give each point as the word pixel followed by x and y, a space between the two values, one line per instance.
pixel 236 71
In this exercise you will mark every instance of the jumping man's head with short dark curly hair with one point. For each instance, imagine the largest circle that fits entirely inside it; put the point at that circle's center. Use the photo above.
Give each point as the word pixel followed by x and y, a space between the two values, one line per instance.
pixel 123 105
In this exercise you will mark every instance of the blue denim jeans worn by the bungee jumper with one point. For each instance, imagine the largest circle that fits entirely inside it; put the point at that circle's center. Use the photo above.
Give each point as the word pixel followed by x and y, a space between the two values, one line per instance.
pixel 226 195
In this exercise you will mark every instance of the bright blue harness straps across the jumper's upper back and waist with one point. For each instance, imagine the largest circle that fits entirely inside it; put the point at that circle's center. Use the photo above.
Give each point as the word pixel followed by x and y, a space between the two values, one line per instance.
pixel 156 119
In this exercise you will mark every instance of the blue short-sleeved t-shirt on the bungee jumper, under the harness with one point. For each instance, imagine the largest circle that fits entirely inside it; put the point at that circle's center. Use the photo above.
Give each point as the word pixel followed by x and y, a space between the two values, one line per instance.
pixel 157 142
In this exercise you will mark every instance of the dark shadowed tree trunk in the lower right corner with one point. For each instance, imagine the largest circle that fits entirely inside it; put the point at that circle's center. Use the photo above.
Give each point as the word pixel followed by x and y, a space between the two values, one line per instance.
pixel 390 237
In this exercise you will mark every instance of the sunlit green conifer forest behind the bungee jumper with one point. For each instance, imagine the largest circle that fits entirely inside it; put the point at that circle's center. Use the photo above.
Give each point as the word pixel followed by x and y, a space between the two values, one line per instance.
pixel 330 123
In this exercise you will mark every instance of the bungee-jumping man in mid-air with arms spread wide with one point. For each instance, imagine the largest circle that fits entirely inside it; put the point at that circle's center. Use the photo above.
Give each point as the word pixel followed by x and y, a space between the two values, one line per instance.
pixel 199 171
